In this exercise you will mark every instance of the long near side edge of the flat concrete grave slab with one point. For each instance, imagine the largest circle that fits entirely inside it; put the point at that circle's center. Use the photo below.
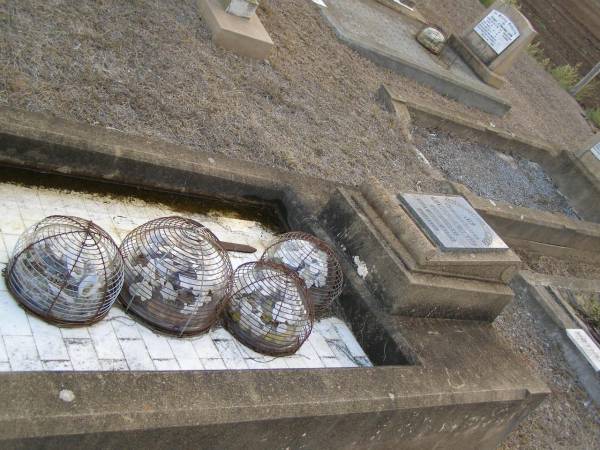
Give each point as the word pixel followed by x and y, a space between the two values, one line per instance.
pixel 462 92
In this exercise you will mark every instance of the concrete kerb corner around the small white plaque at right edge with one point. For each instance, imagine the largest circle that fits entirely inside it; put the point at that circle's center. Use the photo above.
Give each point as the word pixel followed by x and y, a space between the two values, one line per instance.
pixel 556 317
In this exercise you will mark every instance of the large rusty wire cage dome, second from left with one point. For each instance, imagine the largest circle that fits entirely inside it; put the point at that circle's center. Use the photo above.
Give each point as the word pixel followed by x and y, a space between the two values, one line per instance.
pixel 177 275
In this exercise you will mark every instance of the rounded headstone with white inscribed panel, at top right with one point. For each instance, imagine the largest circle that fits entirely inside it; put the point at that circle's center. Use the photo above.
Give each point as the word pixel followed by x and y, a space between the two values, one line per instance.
pixel 492 43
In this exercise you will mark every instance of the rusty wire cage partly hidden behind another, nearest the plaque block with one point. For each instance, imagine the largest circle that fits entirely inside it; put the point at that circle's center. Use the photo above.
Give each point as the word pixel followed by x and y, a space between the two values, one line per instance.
pixel 314 261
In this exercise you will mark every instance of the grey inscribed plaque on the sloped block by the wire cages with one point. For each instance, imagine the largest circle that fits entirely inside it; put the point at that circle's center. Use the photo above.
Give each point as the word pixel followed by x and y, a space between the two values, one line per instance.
pixel 451 223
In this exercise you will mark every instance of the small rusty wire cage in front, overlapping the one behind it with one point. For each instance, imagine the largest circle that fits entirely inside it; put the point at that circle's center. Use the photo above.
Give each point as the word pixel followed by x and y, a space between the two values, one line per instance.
pixel 269 309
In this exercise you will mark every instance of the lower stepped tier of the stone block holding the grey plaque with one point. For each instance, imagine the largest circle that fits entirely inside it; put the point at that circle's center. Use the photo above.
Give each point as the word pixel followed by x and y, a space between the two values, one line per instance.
pixel 401 290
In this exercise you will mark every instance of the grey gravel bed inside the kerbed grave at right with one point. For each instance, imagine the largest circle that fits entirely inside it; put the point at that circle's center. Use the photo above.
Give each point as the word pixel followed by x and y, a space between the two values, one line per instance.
pixel 490 173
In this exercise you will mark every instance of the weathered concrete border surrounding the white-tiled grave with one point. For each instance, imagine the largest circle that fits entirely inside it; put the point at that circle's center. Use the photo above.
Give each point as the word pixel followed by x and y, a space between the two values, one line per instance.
pixel 458 384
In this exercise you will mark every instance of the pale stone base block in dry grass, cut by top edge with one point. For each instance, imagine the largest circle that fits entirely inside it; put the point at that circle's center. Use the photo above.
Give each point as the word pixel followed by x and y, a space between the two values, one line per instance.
pixel 245 37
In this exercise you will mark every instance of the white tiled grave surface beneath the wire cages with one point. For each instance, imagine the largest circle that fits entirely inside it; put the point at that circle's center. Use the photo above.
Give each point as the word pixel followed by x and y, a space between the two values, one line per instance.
pixel 118 342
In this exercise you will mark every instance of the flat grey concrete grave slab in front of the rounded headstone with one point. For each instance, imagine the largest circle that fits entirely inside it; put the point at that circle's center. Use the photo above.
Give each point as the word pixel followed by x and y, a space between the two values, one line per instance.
pixel 388 39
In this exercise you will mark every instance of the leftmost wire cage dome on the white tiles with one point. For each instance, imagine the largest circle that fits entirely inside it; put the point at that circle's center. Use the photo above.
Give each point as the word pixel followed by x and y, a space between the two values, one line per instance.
pixel 66 270
